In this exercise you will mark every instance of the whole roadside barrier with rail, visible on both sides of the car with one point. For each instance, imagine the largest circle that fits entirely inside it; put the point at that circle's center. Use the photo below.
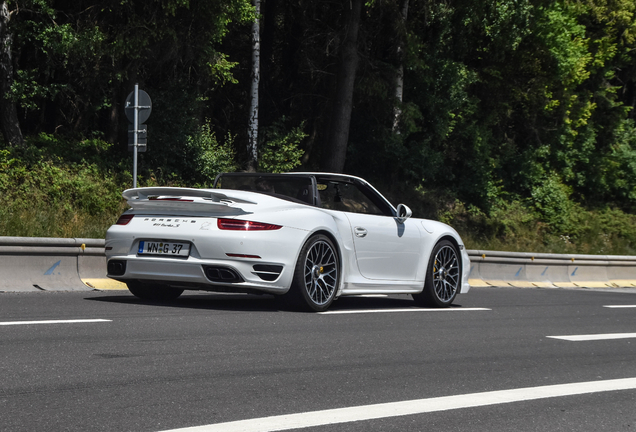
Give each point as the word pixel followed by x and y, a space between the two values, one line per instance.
pixel 42 263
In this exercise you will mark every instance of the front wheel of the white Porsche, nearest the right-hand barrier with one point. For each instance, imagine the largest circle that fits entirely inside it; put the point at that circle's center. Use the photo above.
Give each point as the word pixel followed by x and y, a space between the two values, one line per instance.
pixel 443 277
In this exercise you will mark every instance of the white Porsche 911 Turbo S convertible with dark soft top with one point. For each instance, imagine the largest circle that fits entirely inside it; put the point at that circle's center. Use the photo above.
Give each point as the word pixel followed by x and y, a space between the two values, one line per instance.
pixel 308 238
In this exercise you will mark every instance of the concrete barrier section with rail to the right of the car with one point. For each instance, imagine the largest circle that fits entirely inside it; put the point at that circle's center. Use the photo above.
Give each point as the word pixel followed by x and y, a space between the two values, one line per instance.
pixel 522 269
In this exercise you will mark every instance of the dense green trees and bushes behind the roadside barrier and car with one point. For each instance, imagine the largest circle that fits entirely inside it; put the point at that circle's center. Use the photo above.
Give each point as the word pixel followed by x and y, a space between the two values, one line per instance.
pixel 517 123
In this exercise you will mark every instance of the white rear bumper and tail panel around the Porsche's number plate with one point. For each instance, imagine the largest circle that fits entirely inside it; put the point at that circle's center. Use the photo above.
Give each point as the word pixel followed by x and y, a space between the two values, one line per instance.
pixel 264 261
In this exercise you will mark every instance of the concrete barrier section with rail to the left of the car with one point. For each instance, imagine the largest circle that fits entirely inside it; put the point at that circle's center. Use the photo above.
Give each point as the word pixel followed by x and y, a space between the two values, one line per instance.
pixel 53 264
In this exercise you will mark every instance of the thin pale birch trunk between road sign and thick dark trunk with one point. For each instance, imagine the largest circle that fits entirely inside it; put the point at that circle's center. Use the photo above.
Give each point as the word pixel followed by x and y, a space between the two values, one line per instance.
pixel 252 132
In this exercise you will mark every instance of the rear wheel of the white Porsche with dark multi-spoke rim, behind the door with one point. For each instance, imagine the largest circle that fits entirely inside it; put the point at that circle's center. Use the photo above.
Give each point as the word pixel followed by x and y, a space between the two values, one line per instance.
pixel 316 276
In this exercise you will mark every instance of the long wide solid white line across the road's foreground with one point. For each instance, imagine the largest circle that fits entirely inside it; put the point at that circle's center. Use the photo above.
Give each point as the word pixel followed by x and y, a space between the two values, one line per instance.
pixel 419 406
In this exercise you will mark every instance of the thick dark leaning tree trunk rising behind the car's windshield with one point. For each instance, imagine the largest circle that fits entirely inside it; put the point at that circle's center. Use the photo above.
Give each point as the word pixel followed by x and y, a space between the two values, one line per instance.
pixel 336 148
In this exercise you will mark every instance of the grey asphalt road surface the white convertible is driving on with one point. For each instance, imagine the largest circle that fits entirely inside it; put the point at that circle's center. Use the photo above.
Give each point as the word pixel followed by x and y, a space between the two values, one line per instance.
pixel 207 359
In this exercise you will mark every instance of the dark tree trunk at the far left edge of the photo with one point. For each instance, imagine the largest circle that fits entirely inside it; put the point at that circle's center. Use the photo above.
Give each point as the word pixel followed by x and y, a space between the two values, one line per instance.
pixel 8 114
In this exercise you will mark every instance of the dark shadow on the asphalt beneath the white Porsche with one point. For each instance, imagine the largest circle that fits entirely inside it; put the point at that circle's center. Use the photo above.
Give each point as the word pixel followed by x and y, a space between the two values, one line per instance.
pixel 259 303
